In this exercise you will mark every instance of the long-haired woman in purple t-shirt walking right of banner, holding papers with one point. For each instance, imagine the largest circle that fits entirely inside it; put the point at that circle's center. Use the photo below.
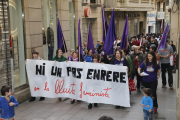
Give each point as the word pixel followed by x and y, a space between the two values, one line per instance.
pixel 152 69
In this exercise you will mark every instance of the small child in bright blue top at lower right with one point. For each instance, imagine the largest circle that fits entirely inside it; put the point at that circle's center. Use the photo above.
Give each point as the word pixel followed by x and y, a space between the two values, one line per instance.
pixel 147 104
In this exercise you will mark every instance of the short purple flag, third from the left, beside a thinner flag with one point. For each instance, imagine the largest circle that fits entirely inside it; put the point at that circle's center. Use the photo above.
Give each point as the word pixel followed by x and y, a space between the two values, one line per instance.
pixel 90 43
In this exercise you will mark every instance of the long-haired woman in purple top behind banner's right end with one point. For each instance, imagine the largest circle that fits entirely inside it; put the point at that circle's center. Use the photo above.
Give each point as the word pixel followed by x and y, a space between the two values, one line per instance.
pixel 121 61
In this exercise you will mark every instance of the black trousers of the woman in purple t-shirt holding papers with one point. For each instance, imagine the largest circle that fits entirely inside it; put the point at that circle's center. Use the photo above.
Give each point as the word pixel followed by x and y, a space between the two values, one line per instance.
pixel 153 86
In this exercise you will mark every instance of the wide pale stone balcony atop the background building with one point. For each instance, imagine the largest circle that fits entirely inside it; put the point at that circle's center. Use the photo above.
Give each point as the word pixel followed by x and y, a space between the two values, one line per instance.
pixel 130 5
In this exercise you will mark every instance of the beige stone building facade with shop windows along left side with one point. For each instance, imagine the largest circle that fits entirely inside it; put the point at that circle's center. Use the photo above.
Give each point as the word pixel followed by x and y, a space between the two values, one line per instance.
pixel 28 25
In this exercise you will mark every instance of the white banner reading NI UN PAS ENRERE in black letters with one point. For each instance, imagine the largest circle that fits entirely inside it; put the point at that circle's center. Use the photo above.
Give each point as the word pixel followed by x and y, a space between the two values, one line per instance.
pixel 90 82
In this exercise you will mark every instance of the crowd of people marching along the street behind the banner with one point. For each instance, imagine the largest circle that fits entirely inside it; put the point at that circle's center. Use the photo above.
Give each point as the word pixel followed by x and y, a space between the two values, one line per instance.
pixel 141 56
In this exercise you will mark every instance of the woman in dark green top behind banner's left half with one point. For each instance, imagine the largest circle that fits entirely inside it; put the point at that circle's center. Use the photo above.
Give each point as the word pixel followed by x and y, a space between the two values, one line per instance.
pixel 60 58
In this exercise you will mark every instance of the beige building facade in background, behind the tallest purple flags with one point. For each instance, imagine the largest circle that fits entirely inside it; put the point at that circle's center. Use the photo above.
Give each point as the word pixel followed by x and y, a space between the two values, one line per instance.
pixel 137 14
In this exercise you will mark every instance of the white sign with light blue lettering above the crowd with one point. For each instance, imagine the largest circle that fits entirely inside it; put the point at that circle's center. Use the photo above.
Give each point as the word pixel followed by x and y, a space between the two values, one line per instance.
pixel 151 18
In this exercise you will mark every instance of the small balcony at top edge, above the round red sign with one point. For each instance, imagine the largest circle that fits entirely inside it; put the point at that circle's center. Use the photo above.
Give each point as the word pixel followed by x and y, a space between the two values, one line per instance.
pixel 92 3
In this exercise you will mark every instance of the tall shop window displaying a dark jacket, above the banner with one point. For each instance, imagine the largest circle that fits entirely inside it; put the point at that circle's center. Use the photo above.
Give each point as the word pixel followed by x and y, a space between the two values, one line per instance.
pixel 49 28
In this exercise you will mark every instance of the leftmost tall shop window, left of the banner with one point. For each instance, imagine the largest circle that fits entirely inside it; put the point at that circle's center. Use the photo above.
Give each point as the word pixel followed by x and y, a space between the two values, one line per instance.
pixel 17 38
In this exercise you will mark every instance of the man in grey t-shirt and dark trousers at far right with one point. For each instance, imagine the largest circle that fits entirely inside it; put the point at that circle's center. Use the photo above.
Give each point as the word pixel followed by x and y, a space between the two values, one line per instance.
pixel 164 54
